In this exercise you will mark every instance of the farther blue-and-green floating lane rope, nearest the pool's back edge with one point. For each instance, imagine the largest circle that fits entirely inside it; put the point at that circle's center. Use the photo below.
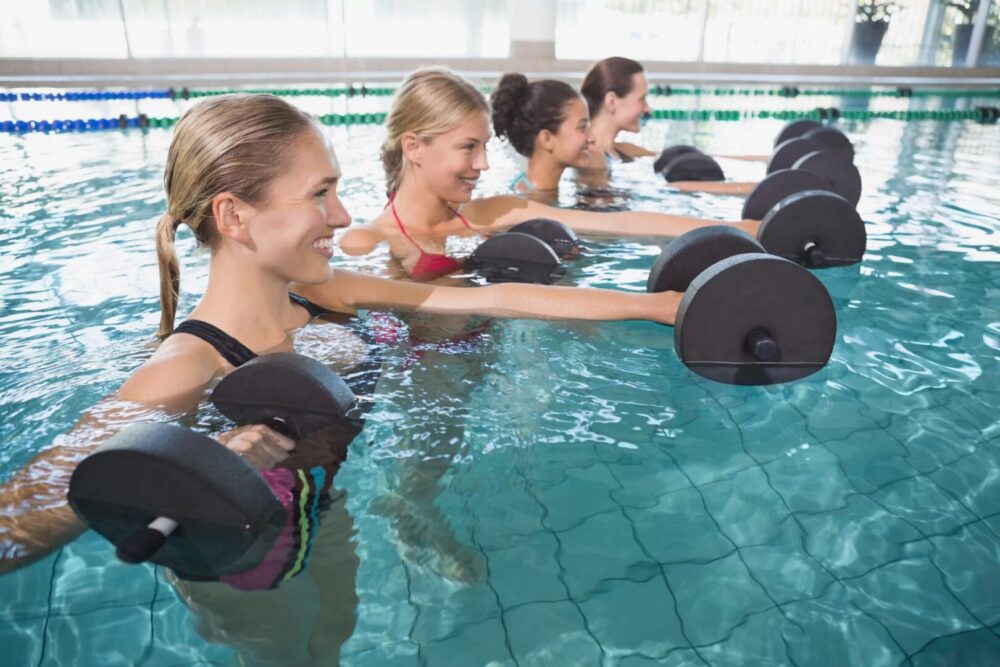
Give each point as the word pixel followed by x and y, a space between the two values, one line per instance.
pixel 364 91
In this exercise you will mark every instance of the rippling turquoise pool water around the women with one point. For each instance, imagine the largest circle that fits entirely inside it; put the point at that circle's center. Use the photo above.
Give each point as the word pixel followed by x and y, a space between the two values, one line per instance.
pixel 566 493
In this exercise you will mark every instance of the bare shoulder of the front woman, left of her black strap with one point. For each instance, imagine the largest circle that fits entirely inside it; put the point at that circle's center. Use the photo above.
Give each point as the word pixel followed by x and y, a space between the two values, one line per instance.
pixel 179 369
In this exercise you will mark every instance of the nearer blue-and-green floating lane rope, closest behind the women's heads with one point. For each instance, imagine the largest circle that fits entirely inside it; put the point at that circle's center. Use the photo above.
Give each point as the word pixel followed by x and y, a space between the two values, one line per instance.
pixel 980 114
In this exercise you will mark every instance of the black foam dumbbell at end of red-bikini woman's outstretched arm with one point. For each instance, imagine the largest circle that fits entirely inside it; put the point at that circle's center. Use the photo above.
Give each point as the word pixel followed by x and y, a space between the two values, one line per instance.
pixel 805 220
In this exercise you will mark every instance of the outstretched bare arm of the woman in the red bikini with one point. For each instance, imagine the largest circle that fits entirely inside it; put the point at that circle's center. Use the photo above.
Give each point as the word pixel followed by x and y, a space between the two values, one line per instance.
pixel 505 211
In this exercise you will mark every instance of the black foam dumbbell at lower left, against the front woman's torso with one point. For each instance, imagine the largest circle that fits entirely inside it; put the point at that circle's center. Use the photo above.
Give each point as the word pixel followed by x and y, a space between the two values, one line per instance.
pixel 166 494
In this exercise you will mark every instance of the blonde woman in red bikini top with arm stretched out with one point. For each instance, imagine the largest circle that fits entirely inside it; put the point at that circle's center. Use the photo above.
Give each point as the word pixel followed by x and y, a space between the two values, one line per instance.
pixel 434 153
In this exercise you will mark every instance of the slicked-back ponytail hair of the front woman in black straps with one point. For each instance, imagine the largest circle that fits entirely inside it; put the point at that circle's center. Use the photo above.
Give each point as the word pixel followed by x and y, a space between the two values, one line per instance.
pixel 230 143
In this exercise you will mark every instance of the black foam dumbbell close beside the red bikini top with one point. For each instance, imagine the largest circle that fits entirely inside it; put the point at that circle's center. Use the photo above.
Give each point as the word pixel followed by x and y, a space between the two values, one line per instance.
pixel 530 252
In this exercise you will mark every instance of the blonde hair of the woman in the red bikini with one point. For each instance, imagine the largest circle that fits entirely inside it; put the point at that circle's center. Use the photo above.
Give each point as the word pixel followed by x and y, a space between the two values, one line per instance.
pixel 429 103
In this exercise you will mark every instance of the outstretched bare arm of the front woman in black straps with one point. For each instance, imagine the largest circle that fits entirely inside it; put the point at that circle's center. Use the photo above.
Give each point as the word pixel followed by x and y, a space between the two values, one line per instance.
pixel 348 291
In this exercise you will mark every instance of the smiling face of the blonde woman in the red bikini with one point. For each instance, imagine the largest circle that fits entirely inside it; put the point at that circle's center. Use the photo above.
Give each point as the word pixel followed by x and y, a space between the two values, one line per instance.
pixel 450 163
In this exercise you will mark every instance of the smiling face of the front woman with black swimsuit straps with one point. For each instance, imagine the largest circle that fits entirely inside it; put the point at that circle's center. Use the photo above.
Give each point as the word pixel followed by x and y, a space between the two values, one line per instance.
pixel 293 231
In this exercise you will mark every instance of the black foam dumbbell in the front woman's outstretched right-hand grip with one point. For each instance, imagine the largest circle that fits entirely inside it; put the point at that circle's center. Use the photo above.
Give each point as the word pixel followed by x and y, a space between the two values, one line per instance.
pixel 746 317
